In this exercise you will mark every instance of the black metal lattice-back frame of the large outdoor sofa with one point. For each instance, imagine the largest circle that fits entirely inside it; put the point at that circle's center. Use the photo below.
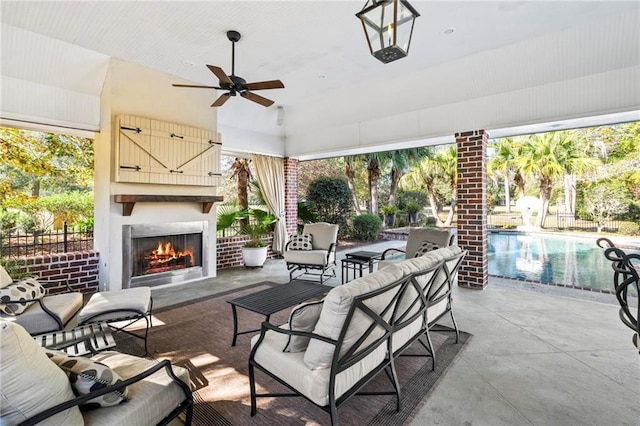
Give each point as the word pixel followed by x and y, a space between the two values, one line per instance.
pixel 361 349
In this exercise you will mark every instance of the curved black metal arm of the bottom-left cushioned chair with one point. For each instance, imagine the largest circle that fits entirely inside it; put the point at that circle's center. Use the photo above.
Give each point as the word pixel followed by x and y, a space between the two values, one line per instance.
pixel 103 391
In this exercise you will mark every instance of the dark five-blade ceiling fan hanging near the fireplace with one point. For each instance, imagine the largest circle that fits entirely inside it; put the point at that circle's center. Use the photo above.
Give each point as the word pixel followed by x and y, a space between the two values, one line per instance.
pixel 234 84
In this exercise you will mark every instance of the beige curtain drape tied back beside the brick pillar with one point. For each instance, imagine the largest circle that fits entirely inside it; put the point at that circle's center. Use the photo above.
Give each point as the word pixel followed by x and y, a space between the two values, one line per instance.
pixel 270 176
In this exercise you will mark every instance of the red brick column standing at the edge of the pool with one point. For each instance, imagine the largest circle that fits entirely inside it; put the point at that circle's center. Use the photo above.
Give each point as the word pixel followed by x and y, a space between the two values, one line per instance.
pixel 472 207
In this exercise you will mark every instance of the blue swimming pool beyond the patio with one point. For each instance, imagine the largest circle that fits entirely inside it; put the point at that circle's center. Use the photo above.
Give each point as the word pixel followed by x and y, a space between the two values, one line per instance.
pixel 553 259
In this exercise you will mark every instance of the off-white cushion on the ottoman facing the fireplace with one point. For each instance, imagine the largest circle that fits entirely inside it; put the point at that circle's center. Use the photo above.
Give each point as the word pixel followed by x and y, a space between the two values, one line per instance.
pixel 138 299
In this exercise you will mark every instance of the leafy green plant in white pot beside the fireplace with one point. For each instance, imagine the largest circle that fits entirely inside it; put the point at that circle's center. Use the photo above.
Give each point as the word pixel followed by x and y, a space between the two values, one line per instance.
pixel 260 223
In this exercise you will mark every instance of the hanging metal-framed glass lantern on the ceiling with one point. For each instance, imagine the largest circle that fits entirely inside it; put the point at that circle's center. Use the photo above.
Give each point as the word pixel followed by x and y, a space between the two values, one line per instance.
pixel 388 26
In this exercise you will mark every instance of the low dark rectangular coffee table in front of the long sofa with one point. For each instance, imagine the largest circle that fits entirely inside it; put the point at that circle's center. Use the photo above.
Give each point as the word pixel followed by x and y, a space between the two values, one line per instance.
pixel 274 299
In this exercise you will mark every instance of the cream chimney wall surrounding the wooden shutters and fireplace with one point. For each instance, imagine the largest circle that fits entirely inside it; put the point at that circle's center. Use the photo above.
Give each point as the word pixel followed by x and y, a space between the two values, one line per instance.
pixel 135 90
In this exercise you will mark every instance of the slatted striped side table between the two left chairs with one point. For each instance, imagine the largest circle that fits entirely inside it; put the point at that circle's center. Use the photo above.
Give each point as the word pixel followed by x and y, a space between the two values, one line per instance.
pixel 99 333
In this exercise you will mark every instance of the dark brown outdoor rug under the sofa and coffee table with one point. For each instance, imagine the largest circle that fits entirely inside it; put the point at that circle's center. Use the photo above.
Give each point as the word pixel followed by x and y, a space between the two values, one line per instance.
pixel 197 336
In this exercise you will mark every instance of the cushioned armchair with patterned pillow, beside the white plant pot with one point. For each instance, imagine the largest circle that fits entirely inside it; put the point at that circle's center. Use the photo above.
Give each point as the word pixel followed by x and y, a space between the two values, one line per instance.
pixel 313 250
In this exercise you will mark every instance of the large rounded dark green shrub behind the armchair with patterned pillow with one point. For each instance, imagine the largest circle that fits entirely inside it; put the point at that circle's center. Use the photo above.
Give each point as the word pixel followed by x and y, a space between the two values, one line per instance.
pixel 331 199
